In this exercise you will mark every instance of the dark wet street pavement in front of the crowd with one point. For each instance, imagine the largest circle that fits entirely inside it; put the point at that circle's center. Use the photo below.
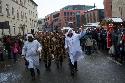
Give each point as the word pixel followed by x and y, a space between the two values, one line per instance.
pixel 95 68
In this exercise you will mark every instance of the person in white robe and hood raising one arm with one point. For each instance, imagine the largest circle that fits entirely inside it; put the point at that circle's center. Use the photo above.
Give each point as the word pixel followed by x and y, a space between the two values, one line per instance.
pixel 72 45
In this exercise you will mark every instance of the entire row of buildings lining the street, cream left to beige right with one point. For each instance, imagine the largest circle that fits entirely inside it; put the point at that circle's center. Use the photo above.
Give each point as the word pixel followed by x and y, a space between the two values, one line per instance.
pixel 20 16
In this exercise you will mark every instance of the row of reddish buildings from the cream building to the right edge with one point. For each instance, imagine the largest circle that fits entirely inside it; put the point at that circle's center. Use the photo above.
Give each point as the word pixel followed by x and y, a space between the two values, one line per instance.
pixel 79 15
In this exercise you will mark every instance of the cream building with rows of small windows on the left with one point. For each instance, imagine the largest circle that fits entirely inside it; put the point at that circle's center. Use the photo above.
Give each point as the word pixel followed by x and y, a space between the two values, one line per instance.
pixel 21 15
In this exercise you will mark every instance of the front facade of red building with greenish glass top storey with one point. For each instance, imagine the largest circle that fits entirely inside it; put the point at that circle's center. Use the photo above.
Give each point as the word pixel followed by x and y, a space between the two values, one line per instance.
pixel 71 15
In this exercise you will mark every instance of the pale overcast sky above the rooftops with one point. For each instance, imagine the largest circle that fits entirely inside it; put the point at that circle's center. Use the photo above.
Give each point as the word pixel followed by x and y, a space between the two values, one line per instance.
pixel 46 7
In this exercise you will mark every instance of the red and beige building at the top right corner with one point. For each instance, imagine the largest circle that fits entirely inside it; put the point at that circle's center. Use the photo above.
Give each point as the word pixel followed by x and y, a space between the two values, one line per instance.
pixel 114 8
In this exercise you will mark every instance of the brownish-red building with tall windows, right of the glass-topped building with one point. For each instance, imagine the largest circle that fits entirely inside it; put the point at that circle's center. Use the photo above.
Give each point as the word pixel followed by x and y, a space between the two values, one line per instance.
pixel 93 16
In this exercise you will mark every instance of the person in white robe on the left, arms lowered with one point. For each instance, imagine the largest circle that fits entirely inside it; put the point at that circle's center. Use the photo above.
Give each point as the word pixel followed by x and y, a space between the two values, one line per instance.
pixel 31 53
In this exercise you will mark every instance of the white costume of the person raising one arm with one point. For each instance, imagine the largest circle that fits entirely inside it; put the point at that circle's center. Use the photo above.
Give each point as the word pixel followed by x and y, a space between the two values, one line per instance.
pixel 73 45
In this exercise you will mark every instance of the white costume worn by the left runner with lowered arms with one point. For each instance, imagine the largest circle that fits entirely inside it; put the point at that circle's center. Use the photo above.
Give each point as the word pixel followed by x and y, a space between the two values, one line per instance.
pixel 31 52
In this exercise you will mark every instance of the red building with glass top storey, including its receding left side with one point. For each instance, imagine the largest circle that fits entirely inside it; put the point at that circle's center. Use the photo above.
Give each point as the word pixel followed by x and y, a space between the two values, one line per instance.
pixel 67 16
